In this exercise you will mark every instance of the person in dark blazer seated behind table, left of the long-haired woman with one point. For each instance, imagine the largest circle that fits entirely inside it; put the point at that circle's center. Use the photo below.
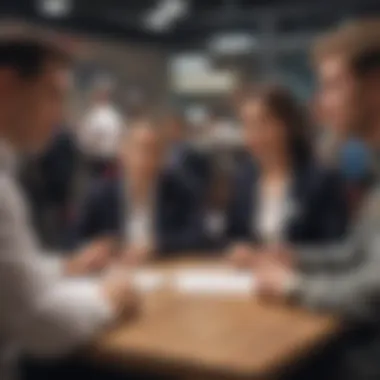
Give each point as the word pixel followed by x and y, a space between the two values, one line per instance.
pixel 147 210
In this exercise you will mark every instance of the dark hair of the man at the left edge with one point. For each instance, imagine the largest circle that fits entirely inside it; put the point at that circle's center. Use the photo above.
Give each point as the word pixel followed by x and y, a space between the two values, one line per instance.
pixel 29 56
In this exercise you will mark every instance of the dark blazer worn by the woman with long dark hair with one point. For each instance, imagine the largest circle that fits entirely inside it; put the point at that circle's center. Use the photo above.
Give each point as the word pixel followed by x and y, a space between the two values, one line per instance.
pixel 318 198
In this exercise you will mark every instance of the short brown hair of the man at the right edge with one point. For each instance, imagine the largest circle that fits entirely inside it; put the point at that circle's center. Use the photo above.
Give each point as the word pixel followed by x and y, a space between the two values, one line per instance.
pixel 358 43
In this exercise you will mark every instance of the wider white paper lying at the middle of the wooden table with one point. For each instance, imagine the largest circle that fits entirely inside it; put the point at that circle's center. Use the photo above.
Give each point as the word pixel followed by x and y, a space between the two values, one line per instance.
pixel 214 282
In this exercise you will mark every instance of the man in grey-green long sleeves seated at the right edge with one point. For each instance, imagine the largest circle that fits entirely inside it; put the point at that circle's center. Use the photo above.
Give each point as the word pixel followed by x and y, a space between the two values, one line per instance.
pixel 341 279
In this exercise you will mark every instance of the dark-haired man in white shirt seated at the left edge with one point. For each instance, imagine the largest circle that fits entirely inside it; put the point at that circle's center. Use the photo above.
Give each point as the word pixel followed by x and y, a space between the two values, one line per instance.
pixel 44 311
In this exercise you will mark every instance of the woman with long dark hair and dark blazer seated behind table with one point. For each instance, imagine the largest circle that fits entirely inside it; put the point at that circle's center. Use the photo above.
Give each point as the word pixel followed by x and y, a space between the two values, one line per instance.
pixel 281 194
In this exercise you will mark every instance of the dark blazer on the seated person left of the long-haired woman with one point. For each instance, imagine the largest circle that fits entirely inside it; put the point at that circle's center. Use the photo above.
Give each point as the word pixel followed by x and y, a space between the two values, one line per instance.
pixel 177 219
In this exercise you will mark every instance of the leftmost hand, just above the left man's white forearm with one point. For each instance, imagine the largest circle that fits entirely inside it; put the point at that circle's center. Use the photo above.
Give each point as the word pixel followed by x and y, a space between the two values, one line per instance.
pixel 92 258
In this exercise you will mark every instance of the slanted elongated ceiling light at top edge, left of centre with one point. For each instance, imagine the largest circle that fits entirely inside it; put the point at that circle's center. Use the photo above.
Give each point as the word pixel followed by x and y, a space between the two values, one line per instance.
pixel 166 14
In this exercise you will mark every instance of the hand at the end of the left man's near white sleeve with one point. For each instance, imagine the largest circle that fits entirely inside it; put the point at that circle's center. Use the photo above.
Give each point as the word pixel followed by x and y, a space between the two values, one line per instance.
pixel 121 295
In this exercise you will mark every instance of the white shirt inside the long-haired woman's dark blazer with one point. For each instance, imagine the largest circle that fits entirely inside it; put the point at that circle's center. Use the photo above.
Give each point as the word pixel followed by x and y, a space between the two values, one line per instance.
pixel 273 211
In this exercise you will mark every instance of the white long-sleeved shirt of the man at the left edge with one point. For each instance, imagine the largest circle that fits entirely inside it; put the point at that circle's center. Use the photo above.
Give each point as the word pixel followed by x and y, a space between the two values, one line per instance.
pixel 42 312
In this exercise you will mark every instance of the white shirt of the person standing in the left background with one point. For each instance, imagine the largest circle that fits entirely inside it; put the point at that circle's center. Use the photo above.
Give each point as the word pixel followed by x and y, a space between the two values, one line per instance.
pixel 101 131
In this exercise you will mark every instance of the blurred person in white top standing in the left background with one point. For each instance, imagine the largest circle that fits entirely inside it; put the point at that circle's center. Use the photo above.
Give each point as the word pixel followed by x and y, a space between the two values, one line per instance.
pixel 100 131
